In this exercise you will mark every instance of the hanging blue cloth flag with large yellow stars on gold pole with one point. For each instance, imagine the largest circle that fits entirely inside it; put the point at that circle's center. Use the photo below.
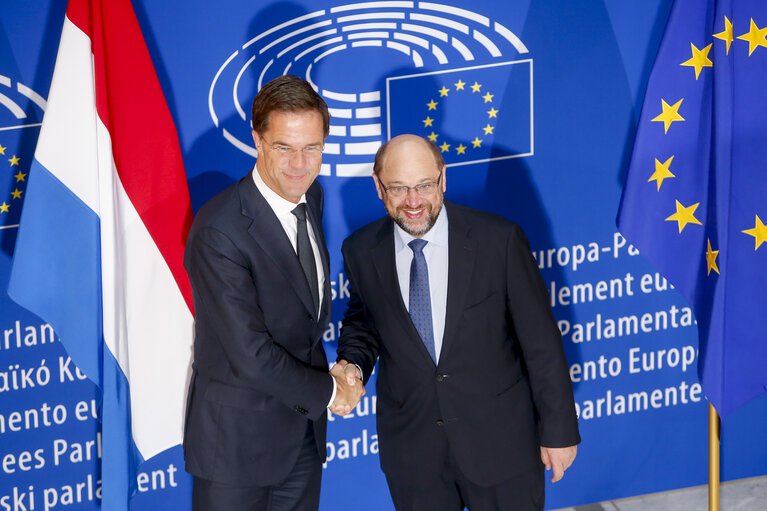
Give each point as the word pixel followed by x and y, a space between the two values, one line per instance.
pixel 695 200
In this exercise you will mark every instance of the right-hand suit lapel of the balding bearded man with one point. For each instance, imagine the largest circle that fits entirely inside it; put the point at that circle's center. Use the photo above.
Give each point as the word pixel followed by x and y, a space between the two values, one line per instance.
pixel 461 262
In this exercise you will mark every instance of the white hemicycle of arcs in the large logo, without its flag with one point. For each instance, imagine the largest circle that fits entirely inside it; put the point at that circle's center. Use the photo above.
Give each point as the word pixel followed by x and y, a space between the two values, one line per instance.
pixel 346 53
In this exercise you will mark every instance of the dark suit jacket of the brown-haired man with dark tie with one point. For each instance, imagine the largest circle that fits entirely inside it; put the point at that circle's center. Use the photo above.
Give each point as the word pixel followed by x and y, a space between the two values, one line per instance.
pixel 260 369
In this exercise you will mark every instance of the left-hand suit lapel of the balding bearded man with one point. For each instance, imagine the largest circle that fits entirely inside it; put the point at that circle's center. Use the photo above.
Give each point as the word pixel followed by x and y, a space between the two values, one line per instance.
pixel 382 255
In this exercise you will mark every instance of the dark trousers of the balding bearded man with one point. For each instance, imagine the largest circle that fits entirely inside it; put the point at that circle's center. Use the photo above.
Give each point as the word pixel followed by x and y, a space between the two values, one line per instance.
pixel 453 492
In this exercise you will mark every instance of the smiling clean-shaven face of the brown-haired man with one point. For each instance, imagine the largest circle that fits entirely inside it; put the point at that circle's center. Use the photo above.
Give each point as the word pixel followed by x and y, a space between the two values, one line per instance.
pixel 290 175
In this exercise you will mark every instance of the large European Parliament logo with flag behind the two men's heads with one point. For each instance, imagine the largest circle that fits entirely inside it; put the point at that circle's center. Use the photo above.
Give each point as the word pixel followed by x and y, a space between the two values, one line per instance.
pixel 458 77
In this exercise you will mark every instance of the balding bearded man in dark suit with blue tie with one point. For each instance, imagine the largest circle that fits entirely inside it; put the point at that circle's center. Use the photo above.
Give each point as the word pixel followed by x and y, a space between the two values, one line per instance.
pixel 474 396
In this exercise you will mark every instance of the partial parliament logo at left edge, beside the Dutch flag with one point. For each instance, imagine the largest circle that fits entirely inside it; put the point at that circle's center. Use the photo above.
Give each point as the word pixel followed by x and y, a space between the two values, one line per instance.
pixel 20 118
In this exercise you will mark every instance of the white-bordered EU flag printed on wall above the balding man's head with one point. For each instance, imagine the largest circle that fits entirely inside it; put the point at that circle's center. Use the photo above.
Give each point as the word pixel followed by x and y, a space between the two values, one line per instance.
pixel 473 114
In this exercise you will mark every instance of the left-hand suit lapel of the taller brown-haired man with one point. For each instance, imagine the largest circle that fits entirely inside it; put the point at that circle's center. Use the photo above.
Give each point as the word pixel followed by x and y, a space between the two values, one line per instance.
pixel 268 232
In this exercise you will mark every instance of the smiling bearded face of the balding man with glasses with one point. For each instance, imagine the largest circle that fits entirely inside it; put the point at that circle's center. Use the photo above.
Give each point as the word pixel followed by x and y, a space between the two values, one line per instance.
pixel 408 161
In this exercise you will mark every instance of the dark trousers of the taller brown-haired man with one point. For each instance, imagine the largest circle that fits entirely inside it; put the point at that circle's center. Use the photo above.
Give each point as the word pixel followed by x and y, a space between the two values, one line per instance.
pixel 299 492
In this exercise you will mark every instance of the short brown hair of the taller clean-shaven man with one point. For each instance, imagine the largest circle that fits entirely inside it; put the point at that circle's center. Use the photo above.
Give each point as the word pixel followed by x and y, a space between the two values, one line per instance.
pixel 287 93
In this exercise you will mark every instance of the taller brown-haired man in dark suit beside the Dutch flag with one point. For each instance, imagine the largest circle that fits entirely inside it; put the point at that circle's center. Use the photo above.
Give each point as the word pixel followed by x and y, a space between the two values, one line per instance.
pixel 257 261
